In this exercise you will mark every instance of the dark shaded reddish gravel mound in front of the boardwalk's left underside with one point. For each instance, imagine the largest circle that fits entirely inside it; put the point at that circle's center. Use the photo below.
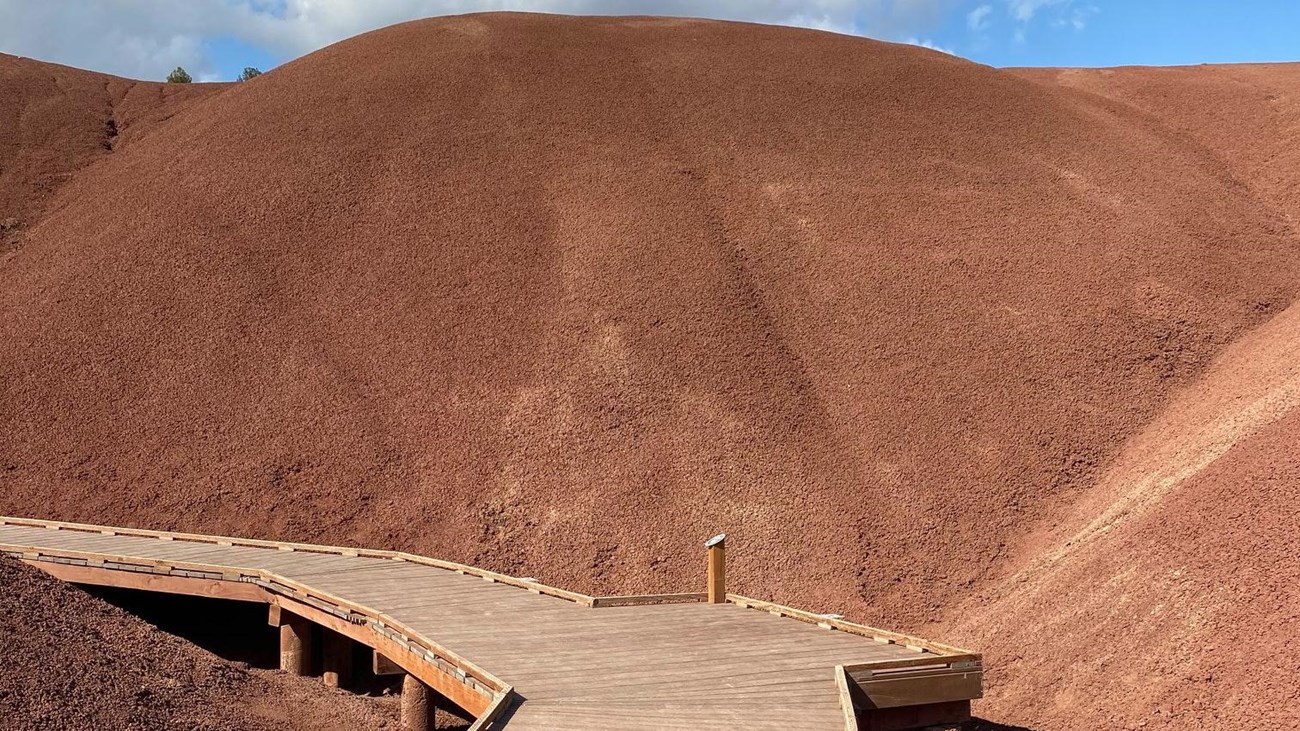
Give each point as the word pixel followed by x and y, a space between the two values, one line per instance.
pixel 98 668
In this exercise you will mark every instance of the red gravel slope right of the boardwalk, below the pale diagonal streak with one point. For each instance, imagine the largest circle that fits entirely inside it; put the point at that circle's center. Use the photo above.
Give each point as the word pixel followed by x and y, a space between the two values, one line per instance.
pixel 1184 617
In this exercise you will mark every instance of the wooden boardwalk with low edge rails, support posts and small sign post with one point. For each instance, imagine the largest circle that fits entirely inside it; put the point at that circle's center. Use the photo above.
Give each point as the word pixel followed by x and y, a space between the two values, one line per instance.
pixel 515 654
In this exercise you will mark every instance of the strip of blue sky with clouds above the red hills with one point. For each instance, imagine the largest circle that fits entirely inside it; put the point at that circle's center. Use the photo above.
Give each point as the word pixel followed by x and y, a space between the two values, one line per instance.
pixel 215 40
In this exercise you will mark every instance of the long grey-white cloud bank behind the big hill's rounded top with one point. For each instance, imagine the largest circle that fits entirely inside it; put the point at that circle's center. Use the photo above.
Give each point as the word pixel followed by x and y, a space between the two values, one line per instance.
pixel 149 38
